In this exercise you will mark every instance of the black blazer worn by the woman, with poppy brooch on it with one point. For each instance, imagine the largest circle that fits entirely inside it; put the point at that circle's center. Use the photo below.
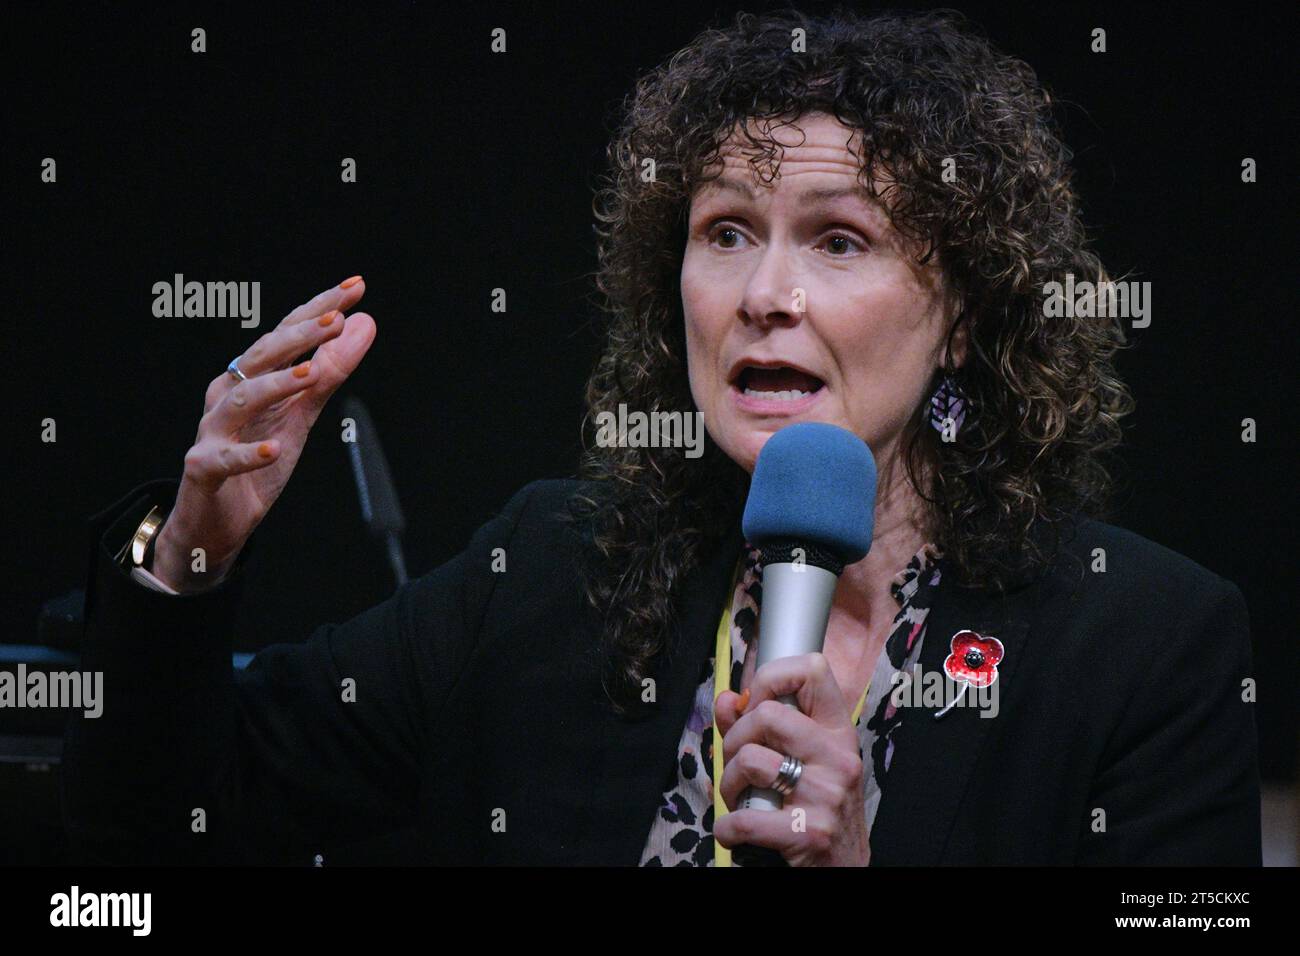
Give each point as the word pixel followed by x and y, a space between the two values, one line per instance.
pixel 480 734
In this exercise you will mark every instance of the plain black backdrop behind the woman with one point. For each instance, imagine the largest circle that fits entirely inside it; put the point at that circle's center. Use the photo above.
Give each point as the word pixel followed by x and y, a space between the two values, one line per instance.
pixel 476 172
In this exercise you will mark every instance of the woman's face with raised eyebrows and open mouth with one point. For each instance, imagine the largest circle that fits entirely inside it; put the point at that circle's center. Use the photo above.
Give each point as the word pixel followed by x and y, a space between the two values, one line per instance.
pixel 803 304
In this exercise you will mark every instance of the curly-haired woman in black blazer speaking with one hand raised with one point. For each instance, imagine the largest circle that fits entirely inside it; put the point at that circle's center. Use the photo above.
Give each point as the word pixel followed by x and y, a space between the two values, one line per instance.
pixel 846 220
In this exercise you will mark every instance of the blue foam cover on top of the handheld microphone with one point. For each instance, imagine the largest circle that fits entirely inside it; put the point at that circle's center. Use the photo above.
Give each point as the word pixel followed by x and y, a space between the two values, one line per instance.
pixel 814 483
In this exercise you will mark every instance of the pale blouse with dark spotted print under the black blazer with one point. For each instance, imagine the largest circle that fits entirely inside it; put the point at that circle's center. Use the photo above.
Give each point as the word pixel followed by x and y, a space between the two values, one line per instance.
pixel 682 834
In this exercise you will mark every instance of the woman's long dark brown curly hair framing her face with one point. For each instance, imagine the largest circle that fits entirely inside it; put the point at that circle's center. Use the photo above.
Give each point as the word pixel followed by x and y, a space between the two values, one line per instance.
pixel 1045 400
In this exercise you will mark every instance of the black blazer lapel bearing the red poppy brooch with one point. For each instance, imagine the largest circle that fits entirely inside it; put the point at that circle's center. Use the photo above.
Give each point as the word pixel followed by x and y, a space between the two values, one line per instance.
pixel 934 758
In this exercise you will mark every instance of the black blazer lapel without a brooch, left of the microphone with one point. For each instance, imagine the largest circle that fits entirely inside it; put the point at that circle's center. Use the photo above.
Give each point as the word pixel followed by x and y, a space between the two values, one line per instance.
pixel 639 752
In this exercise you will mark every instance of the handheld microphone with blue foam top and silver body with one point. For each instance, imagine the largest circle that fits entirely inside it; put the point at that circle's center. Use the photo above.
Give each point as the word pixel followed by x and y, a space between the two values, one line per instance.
pixel 811 512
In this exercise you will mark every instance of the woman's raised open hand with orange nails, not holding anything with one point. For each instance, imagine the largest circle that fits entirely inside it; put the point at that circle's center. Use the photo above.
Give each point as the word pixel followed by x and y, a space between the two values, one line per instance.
pixel 253 434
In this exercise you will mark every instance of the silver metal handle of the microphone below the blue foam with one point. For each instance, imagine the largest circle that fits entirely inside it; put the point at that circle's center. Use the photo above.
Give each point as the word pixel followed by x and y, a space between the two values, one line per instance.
pixel 792 622
